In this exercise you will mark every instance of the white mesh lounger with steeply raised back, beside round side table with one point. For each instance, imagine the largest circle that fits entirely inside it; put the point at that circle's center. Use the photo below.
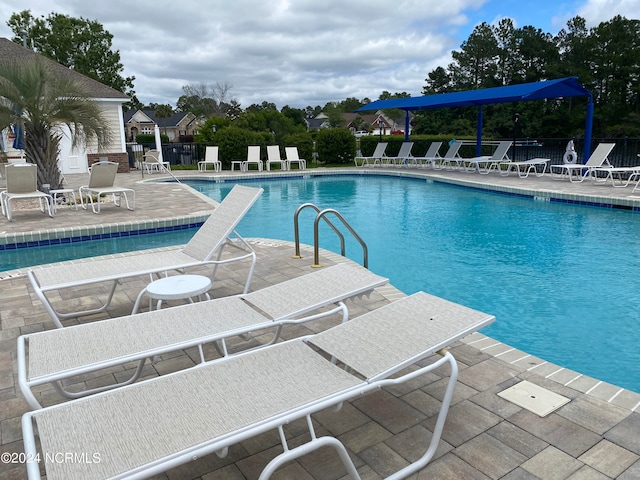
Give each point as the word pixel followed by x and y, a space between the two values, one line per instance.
pixel 204 248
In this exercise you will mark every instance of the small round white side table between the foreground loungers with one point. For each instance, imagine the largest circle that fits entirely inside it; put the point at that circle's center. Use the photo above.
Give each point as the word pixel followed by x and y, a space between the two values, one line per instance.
pixel 177 287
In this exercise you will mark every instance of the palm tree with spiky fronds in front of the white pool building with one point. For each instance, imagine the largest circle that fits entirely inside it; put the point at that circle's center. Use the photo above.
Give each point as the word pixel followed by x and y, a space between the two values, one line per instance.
pixel 41 102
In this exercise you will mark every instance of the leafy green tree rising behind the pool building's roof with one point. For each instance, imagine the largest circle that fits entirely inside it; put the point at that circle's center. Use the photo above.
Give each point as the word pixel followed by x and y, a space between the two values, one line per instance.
pixel 76 43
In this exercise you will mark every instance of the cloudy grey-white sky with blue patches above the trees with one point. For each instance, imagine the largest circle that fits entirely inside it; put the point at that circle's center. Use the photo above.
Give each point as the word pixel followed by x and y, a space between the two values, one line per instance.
pixel 300 52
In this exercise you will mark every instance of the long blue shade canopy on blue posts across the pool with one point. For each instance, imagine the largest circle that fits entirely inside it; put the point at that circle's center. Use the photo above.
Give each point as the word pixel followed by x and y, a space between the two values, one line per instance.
pixel 563 87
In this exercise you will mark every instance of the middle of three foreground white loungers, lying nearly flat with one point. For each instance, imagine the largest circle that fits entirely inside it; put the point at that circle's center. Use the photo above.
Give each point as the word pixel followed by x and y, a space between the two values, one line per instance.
pixel 97 345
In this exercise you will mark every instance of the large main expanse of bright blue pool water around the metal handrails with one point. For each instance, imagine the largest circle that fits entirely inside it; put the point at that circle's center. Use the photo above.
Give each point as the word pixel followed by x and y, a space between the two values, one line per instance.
pixel 560 278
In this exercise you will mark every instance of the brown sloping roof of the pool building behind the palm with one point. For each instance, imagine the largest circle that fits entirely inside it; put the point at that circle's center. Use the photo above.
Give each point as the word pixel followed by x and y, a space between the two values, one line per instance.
pixel 11 51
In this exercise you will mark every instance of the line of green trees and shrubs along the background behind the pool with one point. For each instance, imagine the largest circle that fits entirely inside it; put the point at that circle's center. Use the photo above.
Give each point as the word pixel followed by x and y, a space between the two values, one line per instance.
pixel 605 59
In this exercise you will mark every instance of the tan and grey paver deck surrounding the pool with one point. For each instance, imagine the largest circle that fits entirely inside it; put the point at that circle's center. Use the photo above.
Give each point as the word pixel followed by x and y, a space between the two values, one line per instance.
pixel 594 436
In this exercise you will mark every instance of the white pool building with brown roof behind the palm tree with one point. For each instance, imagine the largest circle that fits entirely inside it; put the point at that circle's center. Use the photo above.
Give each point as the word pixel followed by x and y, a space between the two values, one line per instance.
pixel 76 160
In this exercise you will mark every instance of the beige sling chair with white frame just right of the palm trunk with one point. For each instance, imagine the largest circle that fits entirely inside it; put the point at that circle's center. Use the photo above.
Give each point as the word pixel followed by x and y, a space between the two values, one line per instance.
pixel 101 183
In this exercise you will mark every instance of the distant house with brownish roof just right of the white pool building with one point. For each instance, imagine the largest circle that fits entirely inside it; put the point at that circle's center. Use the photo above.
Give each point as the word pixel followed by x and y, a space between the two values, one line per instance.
pixel 178 125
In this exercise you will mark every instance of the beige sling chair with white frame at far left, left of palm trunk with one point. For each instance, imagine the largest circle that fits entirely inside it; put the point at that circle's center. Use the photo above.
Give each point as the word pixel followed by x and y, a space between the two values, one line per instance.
pixel 22 184
